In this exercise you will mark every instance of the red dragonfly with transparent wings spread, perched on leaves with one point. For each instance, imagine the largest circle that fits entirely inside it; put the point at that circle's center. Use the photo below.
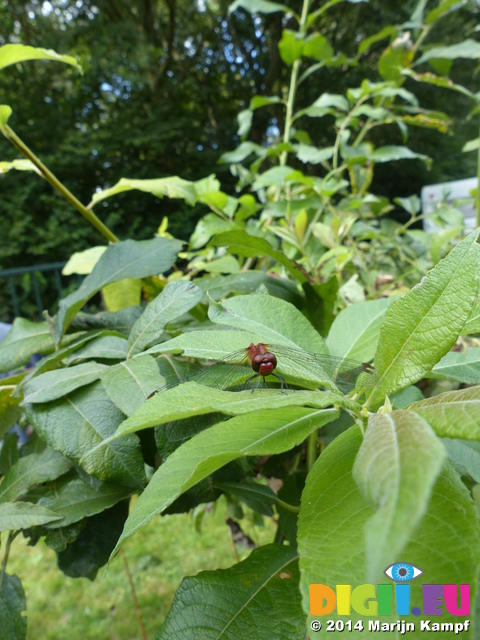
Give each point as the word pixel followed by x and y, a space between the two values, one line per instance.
pixel 305 369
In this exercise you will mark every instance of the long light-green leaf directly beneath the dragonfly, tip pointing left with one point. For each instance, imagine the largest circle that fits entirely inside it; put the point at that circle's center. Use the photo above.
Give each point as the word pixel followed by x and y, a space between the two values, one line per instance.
pixel 195 400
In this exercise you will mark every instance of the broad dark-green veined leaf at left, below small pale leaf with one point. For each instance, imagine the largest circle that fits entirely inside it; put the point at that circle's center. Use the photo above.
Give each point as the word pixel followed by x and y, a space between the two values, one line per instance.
pixel 76 424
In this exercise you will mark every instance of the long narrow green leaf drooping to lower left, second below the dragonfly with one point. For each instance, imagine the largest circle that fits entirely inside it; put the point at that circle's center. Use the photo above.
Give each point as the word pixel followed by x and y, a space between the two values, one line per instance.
pixel 264 432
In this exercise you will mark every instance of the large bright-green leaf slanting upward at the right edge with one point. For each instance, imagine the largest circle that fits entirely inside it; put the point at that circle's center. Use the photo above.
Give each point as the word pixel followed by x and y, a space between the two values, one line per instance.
pixel 422 326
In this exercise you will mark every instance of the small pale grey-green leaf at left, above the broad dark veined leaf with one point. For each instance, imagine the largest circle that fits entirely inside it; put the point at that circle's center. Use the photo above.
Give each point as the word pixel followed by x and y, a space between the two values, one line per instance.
pixel 55 384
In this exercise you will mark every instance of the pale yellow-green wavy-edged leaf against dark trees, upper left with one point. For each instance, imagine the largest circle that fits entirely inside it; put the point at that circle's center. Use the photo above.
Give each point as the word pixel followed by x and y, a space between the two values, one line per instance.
pixel 172 187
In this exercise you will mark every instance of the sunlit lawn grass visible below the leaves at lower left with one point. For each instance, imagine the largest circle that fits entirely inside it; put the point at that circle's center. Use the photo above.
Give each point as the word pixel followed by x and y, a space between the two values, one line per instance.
pixel 159 555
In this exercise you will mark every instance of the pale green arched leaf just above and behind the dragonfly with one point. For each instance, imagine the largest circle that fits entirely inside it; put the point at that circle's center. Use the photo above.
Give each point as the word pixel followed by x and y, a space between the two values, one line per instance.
pixel 277 321
